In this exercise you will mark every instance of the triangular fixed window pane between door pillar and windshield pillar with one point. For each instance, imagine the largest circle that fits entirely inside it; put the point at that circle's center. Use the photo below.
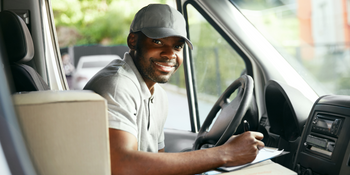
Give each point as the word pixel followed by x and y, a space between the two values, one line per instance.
pixel 216 64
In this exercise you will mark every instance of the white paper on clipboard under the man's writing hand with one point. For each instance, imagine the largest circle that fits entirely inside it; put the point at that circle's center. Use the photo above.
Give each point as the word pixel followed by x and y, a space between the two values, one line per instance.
pixel 264 154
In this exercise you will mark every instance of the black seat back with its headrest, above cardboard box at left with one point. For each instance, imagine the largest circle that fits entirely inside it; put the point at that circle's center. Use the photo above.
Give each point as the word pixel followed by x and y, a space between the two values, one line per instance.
pixel 20 50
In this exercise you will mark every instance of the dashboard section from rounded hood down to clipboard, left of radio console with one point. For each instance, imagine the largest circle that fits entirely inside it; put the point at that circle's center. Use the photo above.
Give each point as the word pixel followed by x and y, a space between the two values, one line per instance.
pixel 287 112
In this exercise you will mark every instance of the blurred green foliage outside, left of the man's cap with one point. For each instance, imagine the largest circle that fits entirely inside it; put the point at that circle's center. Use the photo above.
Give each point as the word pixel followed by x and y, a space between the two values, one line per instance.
pixel 96 21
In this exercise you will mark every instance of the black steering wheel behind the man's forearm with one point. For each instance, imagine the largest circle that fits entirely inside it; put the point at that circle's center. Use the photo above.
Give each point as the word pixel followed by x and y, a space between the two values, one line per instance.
pixel 230 116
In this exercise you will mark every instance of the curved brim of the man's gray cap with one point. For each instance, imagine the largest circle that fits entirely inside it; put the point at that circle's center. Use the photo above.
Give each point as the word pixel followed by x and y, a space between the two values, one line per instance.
pixel 156 33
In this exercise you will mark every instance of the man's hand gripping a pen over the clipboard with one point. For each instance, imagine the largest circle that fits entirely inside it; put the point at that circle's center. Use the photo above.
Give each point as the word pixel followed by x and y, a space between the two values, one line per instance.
pixel 243 148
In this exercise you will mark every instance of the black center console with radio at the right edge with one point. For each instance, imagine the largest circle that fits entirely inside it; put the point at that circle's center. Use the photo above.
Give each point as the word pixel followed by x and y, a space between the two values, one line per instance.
pixel 324 147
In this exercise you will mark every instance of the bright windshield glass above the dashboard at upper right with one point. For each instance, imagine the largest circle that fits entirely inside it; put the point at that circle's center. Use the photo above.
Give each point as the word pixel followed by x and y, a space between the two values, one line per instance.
pixel 313 36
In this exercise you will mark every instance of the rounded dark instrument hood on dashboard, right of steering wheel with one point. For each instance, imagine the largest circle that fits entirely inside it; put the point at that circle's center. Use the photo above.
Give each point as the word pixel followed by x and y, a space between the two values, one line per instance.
pixel 287 110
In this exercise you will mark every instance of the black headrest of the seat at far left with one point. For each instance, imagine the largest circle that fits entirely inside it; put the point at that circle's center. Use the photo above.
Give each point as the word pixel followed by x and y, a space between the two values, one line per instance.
pixel 18 41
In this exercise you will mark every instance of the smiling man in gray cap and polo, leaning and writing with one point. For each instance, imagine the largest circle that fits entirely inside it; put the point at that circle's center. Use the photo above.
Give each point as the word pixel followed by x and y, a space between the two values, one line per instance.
pixel 137 105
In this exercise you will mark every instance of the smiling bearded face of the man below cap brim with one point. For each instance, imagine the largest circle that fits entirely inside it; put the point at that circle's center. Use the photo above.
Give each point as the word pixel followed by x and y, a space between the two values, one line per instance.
pixel 158 59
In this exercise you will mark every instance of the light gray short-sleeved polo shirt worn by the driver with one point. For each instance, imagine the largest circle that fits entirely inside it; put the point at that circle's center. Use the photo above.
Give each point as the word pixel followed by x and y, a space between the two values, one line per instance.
pixel 131 106
